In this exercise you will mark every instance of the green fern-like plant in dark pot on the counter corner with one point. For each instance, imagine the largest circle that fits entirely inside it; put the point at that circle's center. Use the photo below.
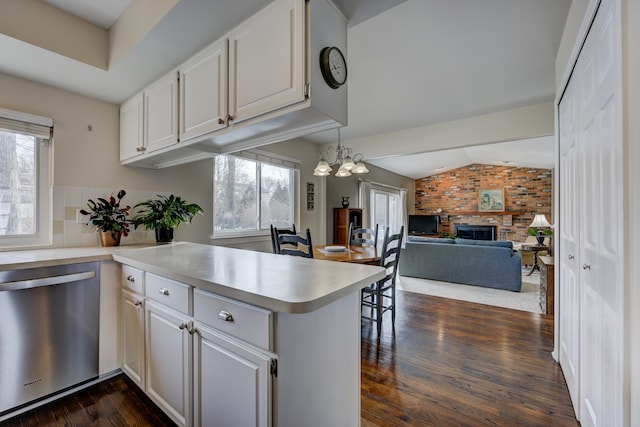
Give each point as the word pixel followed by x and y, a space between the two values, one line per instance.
pixel 164 214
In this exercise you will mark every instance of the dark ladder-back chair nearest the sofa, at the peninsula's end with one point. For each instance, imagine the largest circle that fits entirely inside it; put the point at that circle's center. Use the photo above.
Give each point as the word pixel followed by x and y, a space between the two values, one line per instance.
pixel 380 297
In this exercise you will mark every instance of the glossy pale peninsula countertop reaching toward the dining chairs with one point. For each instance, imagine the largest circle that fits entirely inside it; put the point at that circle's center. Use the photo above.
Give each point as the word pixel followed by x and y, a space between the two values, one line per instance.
pixel 279 283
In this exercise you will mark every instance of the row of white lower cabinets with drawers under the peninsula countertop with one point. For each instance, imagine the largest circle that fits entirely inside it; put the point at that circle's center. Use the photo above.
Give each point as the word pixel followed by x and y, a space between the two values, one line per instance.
pixel 212 370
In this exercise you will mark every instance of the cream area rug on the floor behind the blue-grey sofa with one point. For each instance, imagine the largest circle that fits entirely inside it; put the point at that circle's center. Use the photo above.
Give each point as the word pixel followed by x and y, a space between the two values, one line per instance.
pixel 526 300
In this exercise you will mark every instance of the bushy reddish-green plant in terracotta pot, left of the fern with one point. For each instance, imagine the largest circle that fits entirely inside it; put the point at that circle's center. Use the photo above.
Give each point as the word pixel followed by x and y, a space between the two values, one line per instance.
pixel 108 218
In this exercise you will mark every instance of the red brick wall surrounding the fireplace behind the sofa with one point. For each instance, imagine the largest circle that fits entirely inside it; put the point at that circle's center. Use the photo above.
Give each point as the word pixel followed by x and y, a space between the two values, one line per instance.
pixel 527 191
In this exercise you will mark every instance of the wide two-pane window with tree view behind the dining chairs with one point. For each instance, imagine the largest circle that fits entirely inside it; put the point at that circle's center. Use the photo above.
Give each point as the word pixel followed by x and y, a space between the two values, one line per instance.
pixel 250 195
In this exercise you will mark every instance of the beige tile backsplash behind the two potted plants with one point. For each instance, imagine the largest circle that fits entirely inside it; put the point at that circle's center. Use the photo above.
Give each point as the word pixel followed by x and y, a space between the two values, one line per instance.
pixel 68 232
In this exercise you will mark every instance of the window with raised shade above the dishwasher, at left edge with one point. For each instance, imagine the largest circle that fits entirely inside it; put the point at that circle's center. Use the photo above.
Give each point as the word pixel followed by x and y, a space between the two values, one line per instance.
pixel 24 180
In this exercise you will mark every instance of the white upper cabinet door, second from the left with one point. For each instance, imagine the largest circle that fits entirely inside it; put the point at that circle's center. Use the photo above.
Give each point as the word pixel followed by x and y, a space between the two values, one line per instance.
pixel 161 113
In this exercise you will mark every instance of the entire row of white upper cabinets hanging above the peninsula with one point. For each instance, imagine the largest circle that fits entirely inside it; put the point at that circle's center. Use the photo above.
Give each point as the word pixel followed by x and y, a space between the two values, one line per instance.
pixel 250 88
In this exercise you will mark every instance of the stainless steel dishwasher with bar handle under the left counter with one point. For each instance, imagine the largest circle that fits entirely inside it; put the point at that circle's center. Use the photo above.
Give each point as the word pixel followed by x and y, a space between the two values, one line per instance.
pixel 49 319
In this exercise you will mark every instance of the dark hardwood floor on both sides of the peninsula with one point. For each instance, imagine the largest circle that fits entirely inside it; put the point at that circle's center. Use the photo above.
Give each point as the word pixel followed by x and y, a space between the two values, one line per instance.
pixel 448 363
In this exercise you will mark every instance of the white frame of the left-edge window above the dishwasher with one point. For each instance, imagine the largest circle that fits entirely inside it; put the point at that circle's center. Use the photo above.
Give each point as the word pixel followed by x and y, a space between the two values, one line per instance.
pixel 36 126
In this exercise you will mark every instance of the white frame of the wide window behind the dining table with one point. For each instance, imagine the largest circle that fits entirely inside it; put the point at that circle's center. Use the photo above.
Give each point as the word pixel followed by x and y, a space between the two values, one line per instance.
pixel 260 158
